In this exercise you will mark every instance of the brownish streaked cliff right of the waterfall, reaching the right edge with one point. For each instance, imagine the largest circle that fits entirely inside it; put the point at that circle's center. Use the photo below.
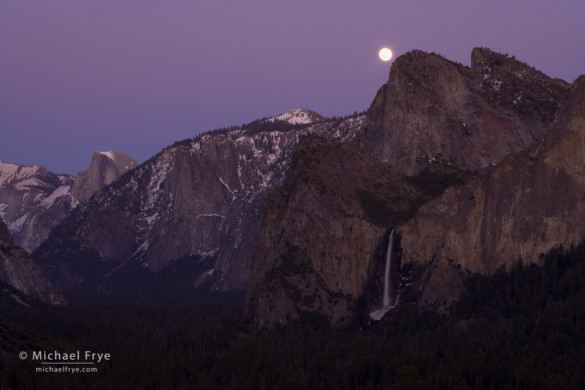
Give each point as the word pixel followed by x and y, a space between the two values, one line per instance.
pixel 529 203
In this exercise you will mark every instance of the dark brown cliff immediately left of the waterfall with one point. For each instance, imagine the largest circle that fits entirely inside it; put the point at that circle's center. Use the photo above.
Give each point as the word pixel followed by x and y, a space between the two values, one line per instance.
pixel 322 231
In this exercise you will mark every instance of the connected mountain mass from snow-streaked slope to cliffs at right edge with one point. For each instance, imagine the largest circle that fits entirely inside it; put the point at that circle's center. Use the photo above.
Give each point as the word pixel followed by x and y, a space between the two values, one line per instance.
pixel 297 209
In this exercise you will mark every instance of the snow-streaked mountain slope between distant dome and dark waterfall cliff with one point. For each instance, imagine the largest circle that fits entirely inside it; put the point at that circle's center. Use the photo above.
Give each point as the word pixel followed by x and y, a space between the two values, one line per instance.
pixel 196 206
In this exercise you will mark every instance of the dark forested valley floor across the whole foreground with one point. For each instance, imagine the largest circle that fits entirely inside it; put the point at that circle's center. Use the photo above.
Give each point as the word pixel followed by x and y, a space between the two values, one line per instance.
pixel 522 329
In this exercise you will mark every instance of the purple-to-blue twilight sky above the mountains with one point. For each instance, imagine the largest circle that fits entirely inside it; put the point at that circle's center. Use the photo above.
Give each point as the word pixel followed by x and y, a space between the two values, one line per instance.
pixel 136 75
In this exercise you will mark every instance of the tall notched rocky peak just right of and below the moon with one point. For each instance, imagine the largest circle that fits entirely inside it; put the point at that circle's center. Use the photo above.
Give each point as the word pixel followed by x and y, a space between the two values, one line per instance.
pixel 436 111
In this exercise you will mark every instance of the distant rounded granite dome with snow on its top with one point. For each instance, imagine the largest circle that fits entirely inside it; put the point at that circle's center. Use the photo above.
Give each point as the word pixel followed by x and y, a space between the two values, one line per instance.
pixel 104 169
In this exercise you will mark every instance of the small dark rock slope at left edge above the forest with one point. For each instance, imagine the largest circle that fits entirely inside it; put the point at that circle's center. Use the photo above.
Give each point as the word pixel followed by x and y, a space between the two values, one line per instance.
pixel 18 270
